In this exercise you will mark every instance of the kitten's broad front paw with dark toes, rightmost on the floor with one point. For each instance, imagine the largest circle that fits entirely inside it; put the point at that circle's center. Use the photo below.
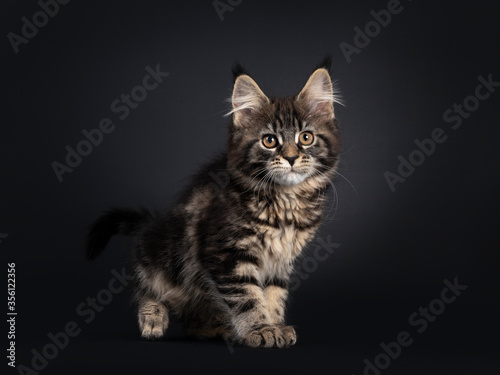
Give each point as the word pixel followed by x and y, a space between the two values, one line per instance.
pixel 271 336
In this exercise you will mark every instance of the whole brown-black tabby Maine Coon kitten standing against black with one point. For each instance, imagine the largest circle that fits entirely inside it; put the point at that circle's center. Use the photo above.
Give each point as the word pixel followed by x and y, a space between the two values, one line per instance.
pixel 221 258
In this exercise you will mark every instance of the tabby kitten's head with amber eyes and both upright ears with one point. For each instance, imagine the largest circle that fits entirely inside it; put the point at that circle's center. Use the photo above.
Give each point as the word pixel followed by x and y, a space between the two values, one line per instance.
pixel 290 141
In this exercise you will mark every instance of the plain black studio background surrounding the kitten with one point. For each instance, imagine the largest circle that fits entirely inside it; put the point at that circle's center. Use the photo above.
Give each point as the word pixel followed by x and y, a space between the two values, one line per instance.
pixel 396 248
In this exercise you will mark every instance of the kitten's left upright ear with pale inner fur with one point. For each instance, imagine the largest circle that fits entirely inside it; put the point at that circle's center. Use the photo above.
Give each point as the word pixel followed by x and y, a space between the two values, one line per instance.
pixel 247 98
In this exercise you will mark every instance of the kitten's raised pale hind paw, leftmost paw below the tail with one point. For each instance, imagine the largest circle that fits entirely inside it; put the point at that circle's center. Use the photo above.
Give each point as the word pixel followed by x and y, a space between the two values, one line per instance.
pixel 153 318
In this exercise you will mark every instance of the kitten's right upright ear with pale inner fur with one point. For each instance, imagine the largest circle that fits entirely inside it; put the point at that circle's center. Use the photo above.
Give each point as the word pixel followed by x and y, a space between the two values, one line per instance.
pixel 317 94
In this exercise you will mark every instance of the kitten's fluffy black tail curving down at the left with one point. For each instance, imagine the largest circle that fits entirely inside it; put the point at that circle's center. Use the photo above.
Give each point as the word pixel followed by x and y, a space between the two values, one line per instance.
pixel 124 221
